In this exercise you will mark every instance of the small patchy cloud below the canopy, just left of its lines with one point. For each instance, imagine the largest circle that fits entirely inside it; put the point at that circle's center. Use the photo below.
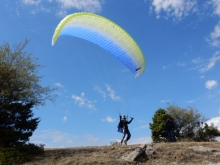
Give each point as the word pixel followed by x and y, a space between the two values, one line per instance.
pixel 83 102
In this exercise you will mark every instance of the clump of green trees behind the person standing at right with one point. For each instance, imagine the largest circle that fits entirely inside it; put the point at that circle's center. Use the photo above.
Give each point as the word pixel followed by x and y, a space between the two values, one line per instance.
pixel 188 121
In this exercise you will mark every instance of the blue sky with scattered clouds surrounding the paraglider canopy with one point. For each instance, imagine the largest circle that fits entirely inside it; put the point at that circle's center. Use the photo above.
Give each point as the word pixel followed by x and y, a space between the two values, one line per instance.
pixel 180 40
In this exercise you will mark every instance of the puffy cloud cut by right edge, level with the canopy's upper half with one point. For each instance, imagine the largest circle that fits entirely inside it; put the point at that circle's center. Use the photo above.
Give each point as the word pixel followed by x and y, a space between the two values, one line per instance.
pixel 215 36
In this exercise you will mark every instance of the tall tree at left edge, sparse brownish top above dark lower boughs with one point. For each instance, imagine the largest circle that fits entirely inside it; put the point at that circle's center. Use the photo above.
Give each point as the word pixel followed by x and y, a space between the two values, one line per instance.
pixel 20 90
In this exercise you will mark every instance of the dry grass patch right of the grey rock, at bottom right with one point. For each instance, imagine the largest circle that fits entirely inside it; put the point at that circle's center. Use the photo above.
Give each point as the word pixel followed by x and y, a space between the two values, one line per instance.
pixel 180 153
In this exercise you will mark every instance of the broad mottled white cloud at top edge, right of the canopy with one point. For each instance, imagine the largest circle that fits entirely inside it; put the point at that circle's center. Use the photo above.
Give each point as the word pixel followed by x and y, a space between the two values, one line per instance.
pixel 174 8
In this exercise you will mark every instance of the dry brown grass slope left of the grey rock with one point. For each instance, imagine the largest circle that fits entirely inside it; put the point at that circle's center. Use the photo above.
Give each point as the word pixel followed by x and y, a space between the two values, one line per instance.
pixel 84 155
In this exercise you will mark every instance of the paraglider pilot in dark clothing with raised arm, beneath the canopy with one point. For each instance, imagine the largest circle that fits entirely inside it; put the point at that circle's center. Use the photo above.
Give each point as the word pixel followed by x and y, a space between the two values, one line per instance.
pixel 124 125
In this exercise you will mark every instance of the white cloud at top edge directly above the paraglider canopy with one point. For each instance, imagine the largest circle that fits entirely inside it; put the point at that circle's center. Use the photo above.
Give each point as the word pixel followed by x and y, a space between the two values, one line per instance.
pixel 84 5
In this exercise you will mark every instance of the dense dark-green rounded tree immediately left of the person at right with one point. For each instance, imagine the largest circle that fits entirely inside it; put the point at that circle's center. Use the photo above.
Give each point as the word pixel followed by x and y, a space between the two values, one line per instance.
pixel 157 127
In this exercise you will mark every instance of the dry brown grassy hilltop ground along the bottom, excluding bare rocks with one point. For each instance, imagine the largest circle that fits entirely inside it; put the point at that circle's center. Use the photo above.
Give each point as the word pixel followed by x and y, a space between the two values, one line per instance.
pixel 167 153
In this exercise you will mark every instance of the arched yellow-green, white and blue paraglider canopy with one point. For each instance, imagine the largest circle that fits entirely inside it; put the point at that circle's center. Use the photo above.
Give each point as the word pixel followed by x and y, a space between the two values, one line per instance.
pixel 106 34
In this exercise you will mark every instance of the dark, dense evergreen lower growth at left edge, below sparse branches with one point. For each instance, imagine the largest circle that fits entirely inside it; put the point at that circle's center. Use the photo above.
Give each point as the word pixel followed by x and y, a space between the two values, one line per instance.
pixel 17 124
